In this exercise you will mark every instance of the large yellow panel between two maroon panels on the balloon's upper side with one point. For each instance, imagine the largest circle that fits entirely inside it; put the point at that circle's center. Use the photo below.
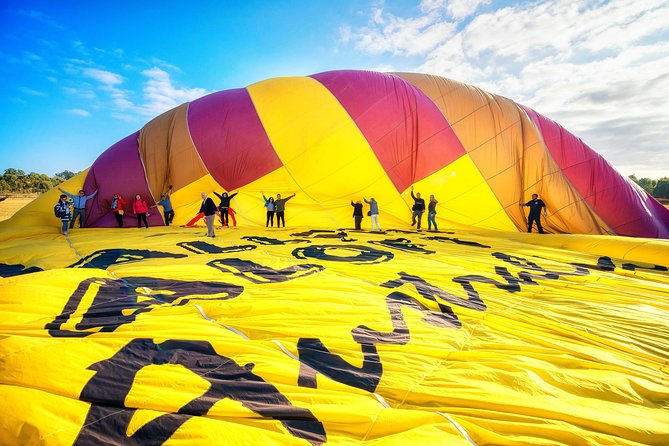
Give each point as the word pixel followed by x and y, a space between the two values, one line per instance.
pixel 317 140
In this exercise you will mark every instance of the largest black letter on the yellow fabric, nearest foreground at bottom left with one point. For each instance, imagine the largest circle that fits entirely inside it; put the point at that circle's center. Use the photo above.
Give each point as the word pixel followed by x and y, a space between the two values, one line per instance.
pixel 108 418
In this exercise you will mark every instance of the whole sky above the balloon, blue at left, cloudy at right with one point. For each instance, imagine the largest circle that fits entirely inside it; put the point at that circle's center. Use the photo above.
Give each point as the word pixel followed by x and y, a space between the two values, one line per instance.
pixel 75 77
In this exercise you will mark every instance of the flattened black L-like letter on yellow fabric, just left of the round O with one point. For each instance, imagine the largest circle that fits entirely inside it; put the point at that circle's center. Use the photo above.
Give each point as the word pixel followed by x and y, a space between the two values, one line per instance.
pixel 256 273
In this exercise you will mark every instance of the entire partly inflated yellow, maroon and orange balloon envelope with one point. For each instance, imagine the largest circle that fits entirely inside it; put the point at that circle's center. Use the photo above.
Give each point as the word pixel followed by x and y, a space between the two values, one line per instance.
pixel 314 333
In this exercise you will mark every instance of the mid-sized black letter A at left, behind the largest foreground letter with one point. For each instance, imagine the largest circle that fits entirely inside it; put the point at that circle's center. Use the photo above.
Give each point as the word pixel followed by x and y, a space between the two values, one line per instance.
pixel 117 302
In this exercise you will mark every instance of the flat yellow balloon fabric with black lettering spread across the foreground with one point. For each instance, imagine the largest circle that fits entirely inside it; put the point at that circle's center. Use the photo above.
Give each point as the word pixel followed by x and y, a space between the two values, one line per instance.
pixel 308 336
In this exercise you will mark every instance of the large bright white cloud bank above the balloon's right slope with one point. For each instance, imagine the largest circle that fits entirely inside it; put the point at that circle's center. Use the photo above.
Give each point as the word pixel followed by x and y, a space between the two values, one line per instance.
pixel 601 69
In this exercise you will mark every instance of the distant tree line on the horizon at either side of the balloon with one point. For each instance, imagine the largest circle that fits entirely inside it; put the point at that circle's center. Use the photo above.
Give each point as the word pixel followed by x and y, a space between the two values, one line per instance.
pixel 17 181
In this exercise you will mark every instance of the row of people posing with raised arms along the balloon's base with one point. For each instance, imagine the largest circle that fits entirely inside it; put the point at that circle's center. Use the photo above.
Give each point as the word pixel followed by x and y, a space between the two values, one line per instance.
pixel 275 206
